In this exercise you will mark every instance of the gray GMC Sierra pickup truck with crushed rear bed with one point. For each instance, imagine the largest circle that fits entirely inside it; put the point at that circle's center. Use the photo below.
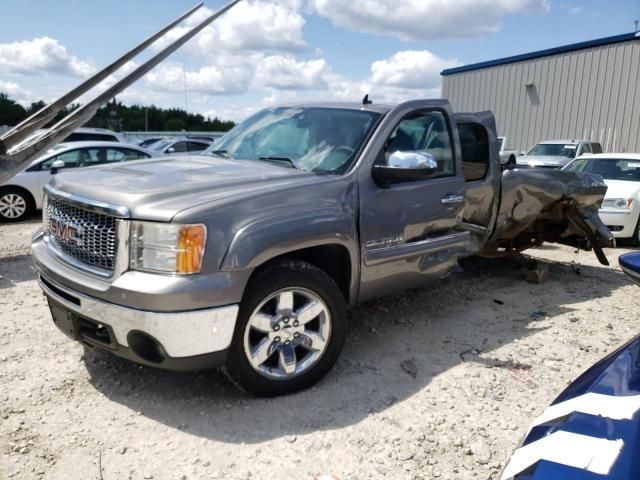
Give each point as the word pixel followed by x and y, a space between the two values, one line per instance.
pixel 248 257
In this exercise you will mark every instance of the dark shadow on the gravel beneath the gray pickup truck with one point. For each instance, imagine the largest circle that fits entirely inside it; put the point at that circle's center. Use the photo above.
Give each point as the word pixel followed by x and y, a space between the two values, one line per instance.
pixel 423 332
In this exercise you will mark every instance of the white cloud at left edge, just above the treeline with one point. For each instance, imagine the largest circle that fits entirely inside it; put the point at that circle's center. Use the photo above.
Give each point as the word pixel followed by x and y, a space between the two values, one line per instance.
pixel 40 55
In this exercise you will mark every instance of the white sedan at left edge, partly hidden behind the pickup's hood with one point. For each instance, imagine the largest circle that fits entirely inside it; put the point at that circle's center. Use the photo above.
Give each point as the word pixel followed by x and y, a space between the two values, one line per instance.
pixel 21 195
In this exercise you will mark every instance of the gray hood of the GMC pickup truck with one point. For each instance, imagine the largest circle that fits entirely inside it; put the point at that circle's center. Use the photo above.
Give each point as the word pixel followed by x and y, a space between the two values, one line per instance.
pixel 158 189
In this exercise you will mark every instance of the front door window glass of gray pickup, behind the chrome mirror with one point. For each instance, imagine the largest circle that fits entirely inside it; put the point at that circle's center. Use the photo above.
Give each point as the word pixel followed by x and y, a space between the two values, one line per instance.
pixel 425 132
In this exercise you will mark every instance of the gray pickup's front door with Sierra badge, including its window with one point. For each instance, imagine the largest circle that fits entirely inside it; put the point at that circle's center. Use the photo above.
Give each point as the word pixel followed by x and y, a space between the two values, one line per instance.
pixel 410 229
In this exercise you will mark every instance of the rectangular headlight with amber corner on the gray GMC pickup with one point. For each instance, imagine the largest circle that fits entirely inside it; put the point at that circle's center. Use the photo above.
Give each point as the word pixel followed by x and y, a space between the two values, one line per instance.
pixel 167 248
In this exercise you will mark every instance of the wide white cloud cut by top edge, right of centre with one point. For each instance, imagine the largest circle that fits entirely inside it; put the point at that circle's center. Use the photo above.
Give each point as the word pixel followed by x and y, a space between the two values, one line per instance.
pixel 424 19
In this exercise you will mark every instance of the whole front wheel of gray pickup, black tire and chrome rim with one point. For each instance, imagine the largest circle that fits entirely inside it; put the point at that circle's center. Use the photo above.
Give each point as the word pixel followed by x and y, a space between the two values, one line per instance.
pixel 290 331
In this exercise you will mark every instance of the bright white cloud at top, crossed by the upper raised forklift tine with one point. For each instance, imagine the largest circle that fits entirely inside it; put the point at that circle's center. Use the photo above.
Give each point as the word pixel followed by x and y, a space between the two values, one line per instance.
pixel 257 25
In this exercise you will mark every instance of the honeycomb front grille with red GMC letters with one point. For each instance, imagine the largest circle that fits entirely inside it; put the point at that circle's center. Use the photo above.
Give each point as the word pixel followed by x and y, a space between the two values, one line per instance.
pixel 82 234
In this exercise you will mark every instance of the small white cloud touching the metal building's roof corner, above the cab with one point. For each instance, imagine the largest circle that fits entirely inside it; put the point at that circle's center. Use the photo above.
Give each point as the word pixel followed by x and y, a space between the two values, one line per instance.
pixel 416 69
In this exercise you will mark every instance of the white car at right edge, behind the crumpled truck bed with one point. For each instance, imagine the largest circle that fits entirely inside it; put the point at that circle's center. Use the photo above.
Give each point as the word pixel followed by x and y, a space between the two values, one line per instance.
pixel 621 207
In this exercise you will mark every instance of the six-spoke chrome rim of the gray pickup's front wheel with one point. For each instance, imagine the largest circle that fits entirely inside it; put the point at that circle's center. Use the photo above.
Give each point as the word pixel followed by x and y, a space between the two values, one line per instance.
pixel 287 334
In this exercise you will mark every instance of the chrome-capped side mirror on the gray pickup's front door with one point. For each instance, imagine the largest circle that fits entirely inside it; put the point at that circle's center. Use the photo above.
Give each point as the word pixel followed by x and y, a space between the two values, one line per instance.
pixel 405 167
